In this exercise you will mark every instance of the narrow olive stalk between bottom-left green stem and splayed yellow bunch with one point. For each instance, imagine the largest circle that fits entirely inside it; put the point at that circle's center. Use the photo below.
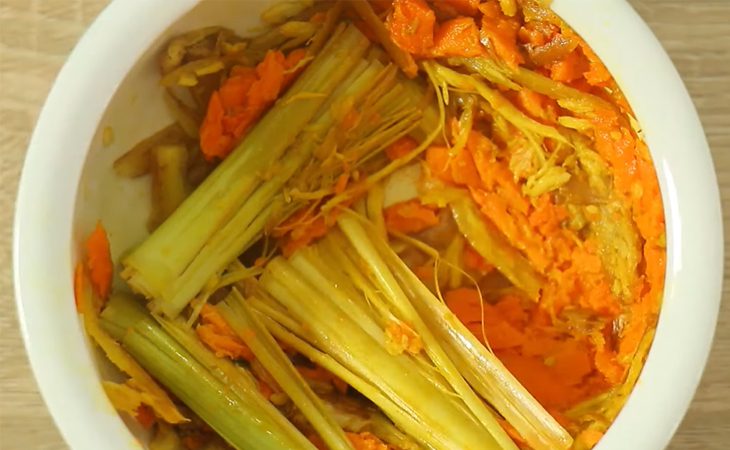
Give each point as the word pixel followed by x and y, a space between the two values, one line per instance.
pixel 243 322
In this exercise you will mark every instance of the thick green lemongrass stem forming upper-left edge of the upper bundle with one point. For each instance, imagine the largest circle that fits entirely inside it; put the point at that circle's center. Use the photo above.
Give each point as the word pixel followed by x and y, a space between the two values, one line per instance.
pixel 162 257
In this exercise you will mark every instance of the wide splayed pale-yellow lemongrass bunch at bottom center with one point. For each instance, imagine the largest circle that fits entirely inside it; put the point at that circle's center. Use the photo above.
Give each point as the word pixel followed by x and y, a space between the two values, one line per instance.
pixel 346 314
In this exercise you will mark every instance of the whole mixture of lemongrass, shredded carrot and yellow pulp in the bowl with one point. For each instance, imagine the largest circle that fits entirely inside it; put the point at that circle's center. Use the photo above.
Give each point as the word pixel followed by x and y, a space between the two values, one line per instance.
pixel 384 225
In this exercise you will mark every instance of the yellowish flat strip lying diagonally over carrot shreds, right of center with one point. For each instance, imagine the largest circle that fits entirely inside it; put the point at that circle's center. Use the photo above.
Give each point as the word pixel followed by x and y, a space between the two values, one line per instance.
pixel 489 243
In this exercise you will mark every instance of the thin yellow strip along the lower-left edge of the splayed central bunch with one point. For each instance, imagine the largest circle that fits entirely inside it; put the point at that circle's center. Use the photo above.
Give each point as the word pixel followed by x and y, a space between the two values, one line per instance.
pixel 431 437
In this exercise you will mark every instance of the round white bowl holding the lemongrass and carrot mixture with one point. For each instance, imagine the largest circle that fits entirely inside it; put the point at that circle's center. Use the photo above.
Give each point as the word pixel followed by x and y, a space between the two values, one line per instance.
pixel 110 79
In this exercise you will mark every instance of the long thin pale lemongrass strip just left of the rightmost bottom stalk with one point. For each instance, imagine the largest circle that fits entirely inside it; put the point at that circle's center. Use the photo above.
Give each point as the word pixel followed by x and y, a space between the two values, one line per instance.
pixel 386 281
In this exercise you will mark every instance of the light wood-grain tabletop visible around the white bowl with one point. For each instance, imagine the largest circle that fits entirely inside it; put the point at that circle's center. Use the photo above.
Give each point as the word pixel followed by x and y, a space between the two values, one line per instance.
pixel 37 35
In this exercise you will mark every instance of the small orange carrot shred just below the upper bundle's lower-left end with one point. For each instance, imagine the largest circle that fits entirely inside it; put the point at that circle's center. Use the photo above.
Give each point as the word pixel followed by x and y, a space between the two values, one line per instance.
pixel 219 337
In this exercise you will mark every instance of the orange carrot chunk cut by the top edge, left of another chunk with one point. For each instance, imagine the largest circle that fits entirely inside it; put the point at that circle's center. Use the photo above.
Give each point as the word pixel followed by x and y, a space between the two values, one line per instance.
pixel 411 26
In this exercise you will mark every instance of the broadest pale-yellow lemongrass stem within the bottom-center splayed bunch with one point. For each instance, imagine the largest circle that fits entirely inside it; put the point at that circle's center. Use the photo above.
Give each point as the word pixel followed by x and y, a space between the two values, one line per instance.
pixel 397 376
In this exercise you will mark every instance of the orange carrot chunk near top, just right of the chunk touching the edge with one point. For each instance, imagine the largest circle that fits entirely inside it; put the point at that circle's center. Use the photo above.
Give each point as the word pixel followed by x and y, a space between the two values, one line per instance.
pixel 457 37
